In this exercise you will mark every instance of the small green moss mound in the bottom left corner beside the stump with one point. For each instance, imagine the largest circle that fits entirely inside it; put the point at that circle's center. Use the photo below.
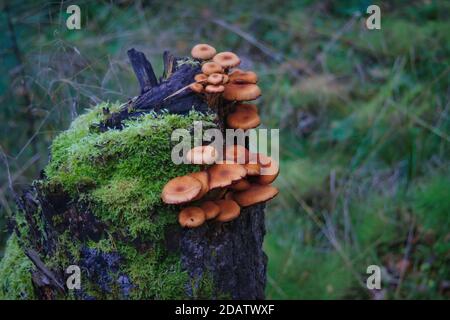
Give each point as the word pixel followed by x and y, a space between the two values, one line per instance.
pixel 15 273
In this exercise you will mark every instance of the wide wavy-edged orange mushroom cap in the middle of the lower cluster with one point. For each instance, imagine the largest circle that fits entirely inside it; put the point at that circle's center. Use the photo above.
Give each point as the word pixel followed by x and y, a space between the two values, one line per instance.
pixel 222 175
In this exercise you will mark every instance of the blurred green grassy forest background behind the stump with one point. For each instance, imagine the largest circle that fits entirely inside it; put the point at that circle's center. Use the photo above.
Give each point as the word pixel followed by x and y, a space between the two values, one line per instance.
pixel 364 119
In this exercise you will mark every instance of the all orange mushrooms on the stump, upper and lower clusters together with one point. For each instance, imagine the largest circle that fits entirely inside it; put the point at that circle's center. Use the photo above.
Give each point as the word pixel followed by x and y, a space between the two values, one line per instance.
pixel 239 178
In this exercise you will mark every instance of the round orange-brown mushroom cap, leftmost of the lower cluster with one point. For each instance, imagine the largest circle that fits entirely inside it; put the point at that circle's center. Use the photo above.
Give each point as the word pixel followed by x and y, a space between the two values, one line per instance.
pixel 181 190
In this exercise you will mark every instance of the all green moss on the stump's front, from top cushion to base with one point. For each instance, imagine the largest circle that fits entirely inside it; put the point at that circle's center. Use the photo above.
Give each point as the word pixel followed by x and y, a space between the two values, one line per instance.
pixel 120 174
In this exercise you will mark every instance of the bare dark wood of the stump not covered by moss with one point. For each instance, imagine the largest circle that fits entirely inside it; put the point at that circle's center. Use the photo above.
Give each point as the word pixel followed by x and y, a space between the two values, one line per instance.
pixel 229 253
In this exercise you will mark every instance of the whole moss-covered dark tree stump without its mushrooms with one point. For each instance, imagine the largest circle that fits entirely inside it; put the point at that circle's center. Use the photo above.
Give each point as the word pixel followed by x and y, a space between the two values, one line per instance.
pixel 67 220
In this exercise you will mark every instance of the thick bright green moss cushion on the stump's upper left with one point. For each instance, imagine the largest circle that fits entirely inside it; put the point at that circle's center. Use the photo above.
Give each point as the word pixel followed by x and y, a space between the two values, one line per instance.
pixel 121 171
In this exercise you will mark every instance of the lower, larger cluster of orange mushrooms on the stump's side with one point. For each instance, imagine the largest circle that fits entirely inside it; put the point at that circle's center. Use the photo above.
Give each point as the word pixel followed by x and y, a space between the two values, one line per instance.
pixel 220 190
